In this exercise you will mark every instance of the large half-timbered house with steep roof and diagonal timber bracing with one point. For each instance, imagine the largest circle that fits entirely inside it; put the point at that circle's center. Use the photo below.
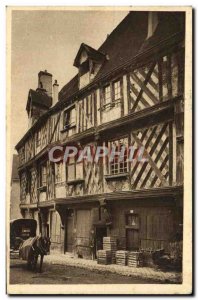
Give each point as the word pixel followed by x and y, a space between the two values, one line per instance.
pixel 128 92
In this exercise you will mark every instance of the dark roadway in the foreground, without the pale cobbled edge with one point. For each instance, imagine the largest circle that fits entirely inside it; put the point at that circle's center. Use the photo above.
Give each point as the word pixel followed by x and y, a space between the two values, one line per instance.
pixel 56 273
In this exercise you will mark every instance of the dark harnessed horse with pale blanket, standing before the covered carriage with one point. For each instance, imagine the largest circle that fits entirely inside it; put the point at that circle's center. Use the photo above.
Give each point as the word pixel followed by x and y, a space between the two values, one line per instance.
pixel 32 248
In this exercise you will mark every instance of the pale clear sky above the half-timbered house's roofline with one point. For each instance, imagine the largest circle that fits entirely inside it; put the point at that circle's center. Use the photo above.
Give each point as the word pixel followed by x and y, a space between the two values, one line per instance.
pixel 49 40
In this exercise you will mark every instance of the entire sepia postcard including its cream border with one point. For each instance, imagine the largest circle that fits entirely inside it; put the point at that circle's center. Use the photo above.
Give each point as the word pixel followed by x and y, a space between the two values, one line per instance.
pixel 99 108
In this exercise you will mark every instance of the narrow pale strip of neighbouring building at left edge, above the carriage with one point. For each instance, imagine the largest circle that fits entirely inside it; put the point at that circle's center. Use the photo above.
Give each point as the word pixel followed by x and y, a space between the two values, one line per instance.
pixel 15 211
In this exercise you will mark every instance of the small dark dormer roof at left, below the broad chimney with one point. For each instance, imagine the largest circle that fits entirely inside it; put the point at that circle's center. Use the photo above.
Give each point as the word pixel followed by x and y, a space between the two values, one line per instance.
pixel 39 98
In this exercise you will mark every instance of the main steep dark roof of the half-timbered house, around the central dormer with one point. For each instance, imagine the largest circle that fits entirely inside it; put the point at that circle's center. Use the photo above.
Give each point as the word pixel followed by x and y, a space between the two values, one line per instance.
pixel 127 40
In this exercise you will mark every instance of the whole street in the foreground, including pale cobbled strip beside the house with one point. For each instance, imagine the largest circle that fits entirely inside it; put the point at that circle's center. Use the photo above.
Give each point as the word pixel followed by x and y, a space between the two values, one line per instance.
pixel 62 269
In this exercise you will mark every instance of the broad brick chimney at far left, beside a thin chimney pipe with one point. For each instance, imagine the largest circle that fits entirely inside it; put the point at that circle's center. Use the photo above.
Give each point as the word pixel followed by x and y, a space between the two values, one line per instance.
pixel 45 82
